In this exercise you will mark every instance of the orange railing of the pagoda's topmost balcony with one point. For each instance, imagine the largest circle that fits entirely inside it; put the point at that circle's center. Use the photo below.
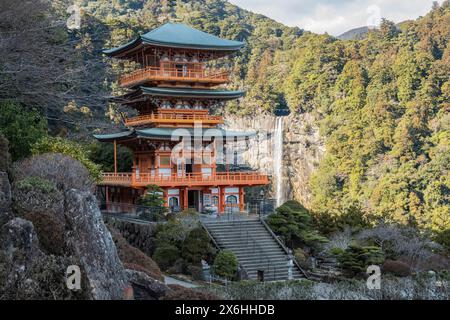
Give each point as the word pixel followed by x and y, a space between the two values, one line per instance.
pixel 173 74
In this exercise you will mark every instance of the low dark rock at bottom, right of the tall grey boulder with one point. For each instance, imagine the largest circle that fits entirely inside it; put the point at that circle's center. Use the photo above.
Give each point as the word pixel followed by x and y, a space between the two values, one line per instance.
pixel 144 287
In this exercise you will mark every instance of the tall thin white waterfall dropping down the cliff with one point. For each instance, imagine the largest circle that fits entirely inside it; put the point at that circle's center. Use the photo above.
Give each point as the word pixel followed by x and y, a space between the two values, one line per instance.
pixel 278 160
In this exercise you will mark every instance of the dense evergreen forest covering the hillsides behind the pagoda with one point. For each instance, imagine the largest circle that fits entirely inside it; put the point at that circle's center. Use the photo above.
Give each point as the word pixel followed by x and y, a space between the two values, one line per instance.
pixel 382 102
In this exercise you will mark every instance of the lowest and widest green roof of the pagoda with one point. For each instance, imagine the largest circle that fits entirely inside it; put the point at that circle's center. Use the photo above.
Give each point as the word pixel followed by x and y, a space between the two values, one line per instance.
pixel 168 133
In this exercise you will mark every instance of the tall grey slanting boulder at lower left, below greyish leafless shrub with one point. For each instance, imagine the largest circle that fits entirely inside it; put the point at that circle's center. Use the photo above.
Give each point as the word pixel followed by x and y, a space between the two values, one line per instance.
pixel 91 244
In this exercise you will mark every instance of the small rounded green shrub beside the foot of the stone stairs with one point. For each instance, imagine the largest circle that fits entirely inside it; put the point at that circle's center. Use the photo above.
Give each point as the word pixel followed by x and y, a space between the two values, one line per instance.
pixel 196 246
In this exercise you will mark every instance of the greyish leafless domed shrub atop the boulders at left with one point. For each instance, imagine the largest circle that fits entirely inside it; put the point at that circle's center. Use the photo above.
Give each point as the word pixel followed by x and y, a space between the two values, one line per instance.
pixel 63 171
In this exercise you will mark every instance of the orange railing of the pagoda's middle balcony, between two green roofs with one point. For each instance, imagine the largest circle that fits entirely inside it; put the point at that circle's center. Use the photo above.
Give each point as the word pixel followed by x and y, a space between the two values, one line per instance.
pixel 173 118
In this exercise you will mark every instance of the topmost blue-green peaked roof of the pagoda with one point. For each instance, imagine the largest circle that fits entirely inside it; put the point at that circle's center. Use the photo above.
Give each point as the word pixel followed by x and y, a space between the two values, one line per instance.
pixel 178 35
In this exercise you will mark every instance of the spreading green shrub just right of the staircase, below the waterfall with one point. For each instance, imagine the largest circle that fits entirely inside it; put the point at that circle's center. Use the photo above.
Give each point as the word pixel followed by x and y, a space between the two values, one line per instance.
pixel 294 224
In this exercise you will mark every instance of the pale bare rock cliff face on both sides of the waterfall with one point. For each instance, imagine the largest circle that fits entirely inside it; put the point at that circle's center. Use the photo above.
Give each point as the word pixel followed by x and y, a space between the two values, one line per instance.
pixel 302 151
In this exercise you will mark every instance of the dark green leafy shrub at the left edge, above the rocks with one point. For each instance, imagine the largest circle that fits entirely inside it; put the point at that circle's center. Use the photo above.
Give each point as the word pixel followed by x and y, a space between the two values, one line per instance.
pixel 22 128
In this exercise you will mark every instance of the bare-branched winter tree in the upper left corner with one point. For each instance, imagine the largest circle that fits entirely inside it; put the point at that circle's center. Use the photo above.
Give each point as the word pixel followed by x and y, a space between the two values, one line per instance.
pixel 46 66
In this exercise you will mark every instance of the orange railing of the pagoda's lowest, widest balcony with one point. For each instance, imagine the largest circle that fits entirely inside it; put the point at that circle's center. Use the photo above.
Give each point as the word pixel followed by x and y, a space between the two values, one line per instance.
pixel 189 179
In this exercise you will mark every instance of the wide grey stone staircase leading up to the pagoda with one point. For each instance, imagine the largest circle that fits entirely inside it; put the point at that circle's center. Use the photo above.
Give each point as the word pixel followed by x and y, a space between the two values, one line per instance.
pixel 255 246
